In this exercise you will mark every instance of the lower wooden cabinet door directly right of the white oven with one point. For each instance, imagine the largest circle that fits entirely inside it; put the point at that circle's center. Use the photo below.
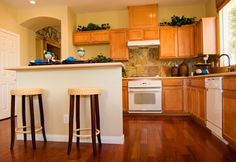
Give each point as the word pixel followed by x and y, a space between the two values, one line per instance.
pixel 172 99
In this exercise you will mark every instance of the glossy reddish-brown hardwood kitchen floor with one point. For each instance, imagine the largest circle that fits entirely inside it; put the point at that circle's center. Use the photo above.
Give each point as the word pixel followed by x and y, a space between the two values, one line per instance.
pixel 147 139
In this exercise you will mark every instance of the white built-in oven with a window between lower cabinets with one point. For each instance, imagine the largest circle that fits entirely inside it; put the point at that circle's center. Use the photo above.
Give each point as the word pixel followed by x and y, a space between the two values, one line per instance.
pixel 145 95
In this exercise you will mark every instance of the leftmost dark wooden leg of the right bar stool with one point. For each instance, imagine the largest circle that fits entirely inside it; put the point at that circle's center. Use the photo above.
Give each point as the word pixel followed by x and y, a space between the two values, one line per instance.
pixel 71 116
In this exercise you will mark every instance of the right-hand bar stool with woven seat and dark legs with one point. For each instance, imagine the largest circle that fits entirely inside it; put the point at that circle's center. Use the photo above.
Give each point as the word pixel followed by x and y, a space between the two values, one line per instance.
pixel 95 119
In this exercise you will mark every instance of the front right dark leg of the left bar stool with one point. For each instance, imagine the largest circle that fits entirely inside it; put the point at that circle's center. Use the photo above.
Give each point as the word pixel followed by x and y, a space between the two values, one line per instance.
pixel 32 121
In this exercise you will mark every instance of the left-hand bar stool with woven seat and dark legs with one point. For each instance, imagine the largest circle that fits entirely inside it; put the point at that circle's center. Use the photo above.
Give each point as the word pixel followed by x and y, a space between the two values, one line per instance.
pixel 30 93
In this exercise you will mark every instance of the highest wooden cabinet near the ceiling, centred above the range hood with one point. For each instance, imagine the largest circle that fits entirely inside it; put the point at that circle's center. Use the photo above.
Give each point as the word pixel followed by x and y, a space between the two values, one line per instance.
pixel 143 16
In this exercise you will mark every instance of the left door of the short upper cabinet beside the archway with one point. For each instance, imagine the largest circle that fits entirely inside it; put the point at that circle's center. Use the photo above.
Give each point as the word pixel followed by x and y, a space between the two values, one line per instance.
pixel 81 38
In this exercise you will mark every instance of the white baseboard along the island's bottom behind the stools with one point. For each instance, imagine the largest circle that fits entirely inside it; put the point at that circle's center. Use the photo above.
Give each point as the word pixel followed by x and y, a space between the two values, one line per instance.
pixel 64 138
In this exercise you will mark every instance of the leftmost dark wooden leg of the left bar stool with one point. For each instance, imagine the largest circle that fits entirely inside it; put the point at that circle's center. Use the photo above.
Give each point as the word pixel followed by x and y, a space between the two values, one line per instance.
pixel 12 121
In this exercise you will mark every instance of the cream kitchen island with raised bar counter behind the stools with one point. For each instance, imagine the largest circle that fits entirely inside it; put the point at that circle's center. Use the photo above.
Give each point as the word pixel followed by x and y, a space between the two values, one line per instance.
pixel 56 79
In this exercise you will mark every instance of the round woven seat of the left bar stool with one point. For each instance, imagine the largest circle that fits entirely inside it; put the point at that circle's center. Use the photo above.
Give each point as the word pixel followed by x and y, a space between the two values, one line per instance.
pixel 26 91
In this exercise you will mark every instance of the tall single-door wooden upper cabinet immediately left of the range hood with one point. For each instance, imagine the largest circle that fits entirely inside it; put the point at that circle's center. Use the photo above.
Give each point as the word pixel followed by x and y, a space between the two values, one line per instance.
pixel 118 44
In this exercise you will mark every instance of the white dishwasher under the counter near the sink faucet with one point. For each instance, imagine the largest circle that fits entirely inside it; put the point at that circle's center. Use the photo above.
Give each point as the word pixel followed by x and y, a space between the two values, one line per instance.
pixel 213 86
